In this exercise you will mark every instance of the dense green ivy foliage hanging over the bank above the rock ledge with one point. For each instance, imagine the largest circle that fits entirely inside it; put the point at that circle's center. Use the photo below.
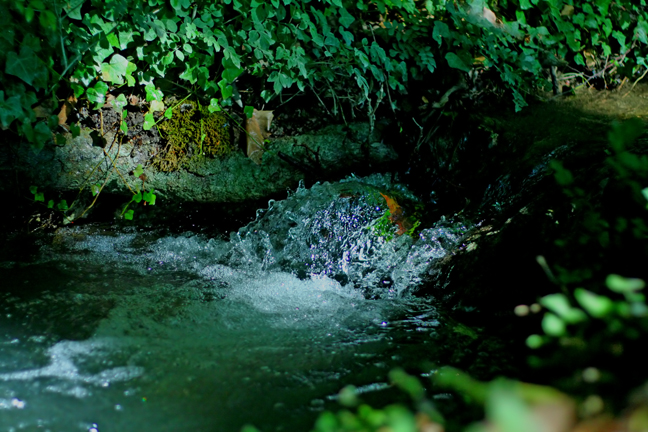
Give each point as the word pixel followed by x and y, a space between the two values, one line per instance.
pixel 357 53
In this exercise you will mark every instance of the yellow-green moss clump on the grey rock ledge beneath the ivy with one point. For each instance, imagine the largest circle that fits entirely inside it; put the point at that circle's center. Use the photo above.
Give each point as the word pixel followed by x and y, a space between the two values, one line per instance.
pixel 192 134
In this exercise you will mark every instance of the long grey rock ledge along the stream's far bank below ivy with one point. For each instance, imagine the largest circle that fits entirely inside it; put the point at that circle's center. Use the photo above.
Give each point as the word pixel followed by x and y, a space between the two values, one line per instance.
pixel 333 150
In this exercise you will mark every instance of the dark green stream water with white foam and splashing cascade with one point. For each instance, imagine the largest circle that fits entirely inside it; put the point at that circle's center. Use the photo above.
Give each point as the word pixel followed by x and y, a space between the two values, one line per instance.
pixel 125 330
